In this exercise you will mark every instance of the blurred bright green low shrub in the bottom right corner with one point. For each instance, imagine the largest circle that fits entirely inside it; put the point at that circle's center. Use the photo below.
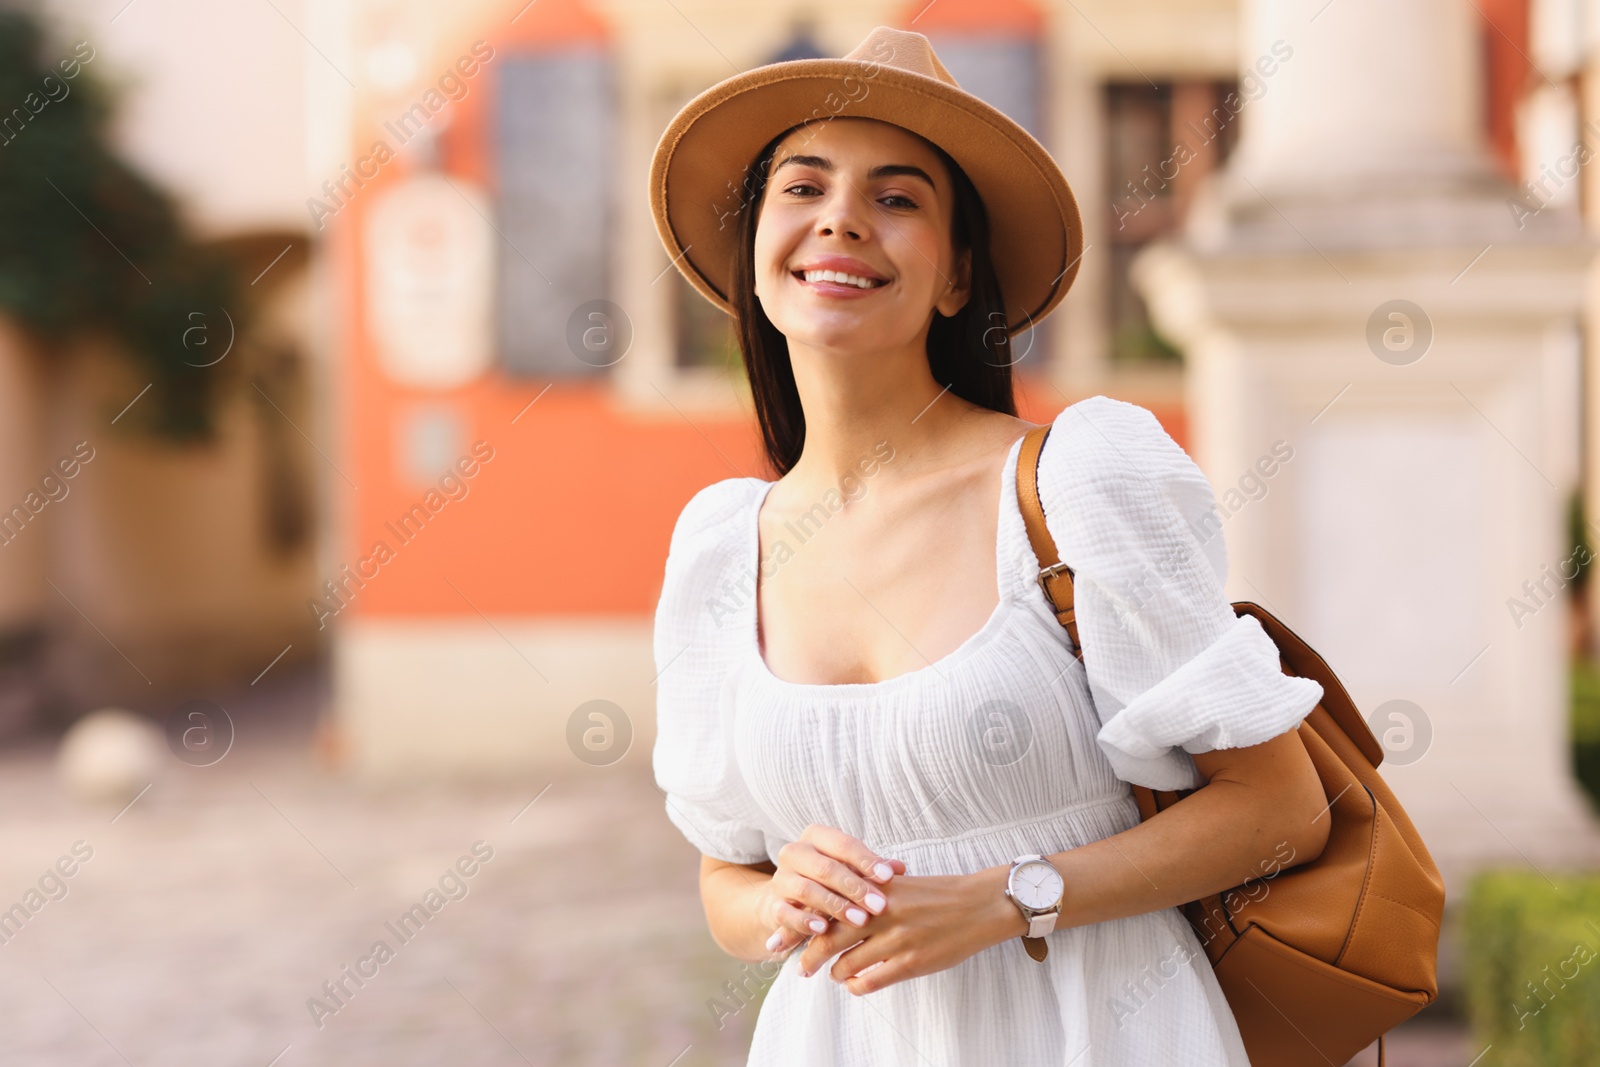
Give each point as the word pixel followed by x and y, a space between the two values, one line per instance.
pixel 1532 967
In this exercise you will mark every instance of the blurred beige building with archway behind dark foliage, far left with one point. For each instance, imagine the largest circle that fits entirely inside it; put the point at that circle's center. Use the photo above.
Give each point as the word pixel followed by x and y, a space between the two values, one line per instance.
pixel 161 572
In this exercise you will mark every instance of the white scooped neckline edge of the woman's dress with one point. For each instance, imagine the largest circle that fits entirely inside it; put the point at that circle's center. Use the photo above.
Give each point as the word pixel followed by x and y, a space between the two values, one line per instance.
pixel 975 641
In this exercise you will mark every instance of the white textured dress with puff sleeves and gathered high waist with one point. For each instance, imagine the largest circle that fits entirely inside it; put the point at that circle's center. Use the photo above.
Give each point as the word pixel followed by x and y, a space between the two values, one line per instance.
pixel 991 753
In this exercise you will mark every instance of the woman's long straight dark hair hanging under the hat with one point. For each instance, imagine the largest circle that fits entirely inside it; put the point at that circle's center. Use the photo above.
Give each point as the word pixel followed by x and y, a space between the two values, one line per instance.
pixel 970 351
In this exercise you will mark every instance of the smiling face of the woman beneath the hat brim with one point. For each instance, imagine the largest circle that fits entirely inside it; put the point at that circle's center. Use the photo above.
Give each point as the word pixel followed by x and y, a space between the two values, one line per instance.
pixel 854 242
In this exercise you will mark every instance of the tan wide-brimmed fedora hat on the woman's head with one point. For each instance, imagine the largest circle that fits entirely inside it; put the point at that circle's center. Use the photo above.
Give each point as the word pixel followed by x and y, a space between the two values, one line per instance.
pixel 698 169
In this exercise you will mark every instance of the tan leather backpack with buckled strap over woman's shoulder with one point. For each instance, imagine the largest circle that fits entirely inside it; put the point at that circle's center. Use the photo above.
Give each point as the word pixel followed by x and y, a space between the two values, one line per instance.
pixel 1319 959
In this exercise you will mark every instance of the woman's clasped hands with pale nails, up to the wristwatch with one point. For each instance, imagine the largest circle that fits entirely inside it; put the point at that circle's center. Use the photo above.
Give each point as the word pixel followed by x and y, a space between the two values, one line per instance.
pixel 836 897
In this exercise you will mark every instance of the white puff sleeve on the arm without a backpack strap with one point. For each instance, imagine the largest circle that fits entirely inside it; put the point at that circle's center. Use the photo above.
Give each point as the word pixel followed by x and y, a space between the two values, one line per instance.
pixel 695 641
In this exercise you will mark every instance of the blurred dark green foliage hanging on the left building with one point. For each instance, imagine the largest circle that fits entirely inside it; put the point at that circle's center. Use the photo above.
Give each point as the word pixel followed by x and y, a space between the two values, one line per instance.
pixel 90 247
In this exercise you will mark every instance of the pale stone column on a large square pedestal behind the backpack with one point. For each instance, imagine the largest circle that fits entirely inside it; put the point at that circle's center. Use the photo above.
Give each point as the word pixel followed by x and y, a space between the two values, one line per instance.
pixel 1383 354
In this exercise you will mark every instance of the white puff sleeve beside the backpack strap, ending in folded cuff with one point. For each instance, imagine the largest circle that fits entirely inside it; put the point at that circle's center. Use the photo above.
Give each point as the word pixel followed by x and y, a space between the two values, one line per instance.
pixel 1172 668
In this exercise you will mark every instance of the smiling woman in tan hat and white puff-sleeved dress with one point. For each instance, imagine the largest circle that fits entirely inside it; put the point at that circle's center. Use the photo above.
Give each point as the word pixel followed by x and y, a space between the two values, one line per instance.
pixel 870 721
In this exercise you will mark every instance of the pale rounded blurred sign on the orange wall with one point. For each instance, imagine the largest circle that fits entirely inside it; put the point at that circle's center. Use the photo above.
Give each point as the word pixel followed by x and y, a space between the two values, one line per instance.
pixel 431 258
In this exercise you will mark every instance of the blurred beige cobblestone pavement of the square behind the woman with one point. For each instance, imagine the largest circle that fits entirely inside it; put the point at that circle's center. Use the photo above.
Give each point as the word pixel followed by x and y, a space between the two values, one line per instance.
pixel 222 901
